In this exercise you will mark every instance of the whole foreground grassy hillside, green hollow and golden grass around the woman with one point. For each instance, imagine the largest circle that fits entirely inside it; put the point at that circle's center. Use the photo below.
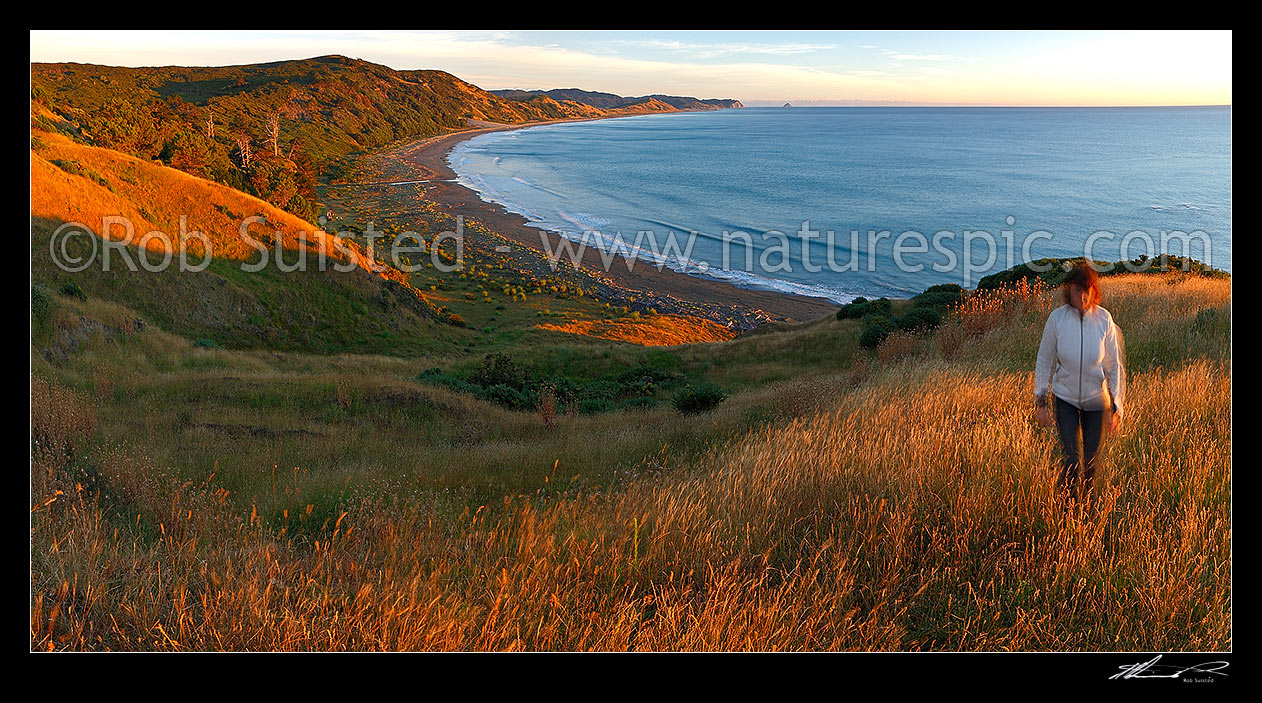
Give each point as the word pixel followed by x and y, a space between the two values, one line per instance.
pixel 897 499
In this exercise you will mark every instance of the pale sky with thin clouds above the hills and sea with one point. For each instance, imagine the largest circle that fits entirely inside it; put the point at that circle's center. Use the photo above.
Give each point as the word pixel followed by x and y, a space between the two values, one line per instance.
pixel 1010 68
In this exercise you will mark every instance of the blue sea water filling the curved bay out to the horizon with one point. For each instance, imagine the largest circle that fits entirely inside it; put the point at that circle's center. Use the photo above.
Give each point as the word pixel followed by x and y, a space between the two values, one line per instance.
pixel 839 203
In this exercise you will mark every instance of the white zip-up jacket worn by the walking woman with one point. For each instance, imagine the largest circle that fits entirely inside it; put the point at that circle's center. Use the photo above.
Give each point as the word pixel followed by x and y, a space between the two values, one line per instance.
pixel 1083 358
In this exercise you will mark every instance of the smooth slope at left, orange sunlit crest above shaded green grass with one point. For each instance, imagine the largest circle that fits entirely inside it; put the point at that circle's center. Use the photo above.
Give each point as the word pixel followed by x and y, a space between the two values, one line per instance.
pixel 314 310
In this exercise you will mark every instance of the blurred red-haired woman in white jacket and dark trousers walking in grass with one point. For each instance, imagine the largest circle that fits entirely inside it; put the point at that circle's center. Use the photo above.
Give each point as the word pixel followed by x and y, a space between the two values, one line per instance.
pixel 1082 372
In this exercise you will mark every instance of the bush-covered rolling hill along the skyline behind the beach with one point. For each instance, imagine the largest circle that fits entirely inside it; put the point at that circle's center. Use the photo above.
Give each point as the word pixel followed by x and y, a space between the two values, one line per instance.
pixel 274 129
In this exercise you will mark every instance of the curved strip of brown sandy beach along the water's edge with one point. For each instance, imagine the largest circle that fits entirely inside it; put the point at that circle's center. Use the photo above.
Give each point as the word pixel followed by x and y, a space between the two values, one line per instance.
pixel 428 157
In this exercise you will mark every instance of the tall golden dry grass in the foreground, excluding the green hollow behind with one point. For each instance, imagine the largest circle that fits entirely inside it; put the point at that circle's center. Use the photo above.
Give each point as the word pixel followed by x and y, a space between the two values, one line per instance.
pixel 909 507
